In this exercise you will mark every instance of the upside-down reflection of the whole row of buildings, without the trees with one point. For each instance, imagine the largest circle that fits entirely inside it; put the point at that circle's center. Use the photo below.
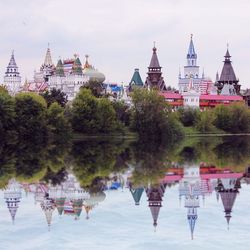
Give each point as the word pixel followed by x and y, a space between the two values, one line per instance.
pixel 196 183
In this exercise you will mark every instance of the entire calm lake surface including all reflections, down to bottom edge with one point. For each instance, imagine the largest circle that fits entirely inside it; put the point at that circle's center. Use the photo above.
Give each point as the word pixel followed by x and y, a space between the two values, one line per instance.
pixel 126 195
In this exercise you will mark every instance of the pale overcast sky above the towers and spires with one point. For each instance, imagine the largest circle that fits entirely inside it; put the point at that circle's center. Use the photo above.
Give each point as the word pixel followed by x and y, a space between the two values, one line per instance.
pixel 118 35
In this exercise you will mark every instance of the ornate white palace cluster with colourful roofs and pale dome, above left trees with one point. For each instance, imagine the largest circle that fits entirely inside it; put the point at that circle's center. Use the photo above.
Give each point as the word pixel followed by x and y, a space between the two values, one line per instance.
pixel 68 76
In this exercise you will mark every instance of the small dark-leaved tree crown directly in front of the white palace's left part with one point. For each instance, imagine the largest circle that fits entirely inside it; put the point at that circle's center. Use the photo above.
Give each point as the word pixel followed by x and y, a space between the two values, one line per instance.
pixel 55 95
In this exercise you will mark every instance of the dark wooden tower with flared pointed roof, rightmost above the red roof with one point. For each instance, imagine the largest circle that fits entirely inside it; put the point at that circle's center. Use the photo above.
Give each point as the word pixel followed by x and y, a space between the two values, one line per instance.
pixel 228 76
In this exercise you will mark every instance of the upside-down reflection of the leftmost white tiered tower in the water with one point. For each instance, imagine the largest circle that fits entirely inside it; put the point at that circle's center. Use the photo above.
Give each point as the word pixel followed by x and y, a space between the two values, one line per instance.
pixel 12 196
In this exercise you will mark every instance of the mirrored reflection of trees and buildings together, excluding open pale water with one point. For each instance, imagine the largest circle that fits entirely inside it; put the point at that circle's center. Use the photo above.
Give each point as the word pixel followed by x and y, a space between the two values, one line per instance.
pixel 73 182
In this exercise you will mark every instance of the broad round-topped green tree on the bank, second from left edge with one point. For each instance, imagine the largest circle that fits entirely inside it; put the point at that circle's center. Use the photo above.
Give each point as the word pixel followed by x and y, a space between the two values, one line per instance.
pixel 31 121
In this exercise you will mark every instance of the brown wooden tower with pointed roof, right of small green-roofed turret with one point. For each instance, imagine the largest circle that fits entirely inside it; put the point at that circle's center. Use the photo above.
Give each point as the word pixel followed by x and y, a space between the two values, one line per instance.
pixel 154 78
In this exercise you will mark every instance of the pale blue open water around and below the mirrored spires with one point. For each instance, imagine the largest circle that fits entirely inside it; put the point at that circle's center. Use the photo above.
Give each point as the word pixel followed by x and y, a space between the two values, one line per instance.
pixel 116 223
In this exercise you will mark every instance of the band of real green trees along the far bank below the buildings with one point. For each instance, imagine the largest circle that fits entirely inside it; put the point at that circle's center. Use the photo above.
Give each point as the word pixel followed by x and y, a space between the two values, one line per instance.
pixel 42 118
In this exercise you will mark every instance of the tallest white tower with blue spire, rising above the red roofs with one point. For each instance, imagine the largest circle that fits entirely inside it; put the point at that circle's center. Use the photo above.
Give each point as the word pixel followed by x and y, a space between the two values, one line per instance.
pixel 191 70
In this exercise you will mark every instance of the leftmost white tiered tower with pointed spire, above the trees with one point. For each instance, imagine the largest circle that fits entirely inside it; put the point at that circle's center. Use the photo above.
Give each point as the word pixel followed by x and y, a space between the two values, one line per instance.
pixel 12 78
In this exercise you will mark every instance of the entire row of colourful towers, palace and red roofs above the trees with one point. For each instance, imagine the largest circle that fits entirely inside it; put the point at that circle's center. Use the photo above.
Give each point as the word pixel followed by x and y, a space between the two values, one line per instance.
pixel 194 88
